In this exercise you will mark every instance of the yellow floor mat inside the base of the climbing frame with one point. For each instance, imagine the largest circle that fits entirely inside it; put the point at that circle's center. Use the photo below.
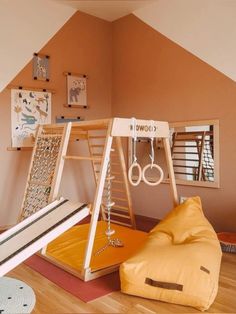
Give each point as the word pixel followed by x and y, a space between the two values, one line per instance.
pixel 69 248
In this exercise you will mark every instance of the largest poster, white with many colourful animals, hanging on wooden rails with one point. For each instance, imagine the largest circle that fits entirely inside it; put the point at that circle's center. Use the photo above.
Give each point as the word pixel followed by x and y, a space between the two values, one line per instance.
pixel 28 109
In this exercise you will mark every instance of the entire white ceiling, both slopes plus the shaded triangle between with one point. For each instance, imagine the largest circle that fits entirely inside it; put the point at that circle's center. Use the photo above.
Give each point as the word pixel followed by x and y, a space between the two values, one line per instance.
pixel 206 28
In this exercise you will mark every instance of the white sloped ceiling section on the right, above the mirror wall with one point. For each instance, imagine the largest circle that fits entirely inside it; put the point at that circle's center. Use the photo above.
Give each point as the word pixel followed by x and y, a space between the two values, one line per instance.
pixel 206 28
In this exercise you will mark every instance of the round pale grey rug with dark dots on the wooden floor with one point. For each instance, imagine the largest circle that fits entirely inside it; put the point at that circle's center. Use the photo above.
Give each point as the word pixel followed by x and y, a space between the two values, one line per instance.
pixel 15 296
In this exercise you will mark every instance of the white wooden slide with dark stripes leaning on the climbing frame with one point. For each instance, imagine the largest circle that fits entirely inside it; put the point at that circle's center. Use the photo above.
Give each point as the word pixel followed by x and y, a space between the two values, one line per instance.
pixel 36 231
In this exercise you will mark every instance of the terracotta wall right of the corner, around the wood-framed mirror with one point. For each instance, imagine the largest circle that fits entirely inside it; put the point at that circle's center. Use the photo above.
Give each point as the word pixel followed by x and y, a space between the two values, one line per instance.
pixel 154 78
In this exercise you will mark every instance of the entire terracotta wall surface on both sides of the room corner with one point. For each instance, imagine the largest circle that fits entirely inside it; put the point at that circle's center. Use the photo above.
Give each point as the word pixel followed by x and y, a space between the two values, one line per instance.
pixel 149 77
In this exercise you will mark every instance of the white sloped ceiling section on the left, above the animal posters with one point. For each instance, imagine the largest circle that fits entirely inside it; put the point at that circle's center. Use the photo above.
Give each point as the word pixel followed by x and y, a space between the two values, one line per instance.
pixel 25 27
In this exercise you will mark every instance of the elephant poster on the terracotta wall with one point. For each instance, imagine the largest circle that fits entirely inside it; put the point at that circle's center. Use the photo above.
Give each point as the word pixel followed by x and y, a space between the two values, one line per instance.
pixel 76 91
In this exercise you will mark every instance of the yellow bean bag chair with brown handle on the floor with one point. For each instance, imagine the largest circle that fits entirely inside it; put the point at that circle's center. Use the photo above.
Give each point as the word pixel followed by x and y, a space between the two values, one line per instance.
pixel 180 261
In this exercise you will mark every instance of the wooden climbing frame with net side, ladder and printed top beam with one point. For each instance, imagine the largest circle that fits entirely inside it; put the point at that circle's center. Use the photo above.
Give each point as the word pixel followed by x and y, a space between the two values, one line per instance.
pixel 104 140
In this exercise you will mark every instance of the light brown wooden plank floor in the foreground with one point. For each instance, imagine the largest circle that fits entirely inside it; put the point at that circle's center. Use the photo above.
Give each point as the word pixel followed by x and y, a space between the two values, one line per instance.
pixel 54 300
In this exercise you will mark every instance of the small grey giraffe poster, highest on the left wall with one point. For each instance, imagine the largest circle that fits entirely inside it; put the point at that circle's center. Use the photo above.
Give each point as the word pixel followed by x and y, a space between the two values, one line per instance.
pixel 41 67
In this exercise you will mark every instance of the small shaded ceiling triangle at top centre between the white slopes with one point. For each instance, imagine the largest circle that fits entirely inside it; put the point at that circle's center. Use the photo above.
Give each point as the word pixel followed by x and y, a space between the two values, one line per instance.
pixel 109 10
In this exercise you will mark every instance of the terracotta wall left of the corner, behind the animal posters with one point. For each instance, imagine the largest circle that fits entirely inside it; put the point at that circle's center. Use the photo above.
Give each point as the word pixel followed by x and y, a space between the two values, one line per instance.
pixel 83 45
